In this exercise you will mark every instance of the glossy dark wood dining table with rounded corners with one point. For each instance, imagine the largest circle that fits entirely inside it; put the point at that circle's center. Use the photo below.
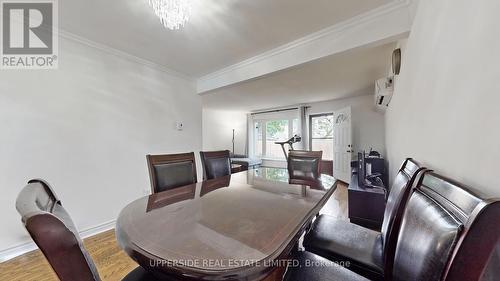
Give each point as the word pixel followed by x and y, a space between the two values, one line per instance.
pixel 237 227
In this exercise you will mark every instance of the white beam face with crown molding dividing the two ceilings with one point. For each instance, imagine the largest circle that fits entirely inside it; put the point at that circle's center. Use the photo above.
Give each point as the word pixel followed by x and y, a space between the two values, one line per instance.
pixel 397 10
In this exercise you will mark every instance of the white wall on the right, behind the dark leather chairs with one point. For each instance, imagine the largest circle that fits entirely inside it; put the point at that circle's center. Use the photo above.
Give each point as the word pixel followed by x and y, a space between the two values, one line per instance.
pixel 446 108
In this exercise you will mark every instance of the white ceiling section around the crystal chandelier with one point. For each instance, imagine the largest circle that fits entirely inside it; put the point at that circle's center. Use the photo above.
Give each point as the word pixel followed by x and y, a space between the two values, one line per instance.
pixel 220 32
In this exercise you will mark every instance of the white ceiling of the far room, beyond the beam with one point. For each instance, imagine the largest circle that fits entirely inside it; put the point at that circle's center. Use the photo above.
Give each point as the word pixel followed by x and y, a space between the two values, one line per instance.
pixel 343 75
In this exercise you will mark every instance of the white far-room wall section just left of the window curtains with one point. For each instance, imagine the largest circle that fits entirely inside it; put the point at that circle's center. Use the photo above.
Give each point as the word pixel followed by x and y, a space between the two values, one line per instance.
pixel 218 128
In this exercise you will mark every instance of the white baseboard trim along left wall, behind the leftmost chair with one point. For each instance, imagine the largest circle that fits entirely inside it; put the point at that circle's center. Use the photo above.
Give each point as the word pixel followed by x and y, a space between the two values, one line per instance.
pixel 26 247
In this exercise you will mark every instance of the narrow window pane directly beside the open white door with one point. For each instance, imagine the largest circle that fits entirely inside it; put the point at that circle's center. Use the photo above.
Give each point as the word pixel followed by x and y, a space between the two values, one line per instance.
pixel 321 134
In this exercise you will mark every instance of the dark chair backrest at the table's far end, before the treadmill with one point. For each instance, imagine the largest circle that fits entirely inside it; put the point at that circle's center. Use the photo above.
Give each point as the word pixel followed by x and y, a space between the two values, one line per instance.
pixel 304 166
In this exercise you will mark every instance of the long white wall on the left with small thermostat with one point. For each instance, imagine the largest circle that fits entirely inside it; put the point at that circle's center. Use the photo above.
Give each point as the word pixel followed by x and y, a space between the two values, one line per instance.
pixel 86 128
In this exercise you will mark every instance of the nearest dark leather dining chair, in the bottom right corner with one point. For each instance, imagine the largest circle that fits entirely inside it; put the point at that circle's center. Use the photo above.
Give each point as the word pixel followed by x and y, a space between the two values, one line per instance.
pixel 447 233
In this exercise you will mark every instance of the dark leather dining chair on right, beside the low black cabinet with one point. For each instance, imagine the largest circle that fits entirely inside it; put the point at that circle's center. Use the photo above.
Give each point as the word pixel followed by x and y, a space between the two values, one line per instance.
pixel 367 250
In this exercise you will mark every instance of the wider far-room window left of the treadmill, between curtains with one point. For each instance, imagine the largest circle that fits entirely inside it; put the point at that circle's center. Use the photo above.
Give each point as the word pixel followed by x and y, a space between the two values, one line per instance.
pixel 269 131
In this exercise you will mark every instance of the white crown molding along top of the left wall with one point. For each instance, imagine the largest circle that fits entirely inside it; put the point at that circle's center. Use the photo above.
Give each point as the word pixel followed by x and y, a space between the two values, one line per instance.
pixel 124 55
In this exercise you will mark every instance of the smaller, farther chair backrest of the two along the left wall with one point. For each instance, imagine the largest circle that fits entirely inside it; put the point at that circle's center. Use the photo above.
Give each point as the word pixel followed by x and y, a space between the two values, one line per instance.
pixel 215 164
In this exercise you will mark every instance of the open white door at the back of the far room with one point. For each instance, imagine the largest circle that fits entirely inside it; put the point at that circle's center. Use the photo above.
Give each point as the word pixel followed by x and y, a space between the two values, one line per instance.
pixel 342 144
